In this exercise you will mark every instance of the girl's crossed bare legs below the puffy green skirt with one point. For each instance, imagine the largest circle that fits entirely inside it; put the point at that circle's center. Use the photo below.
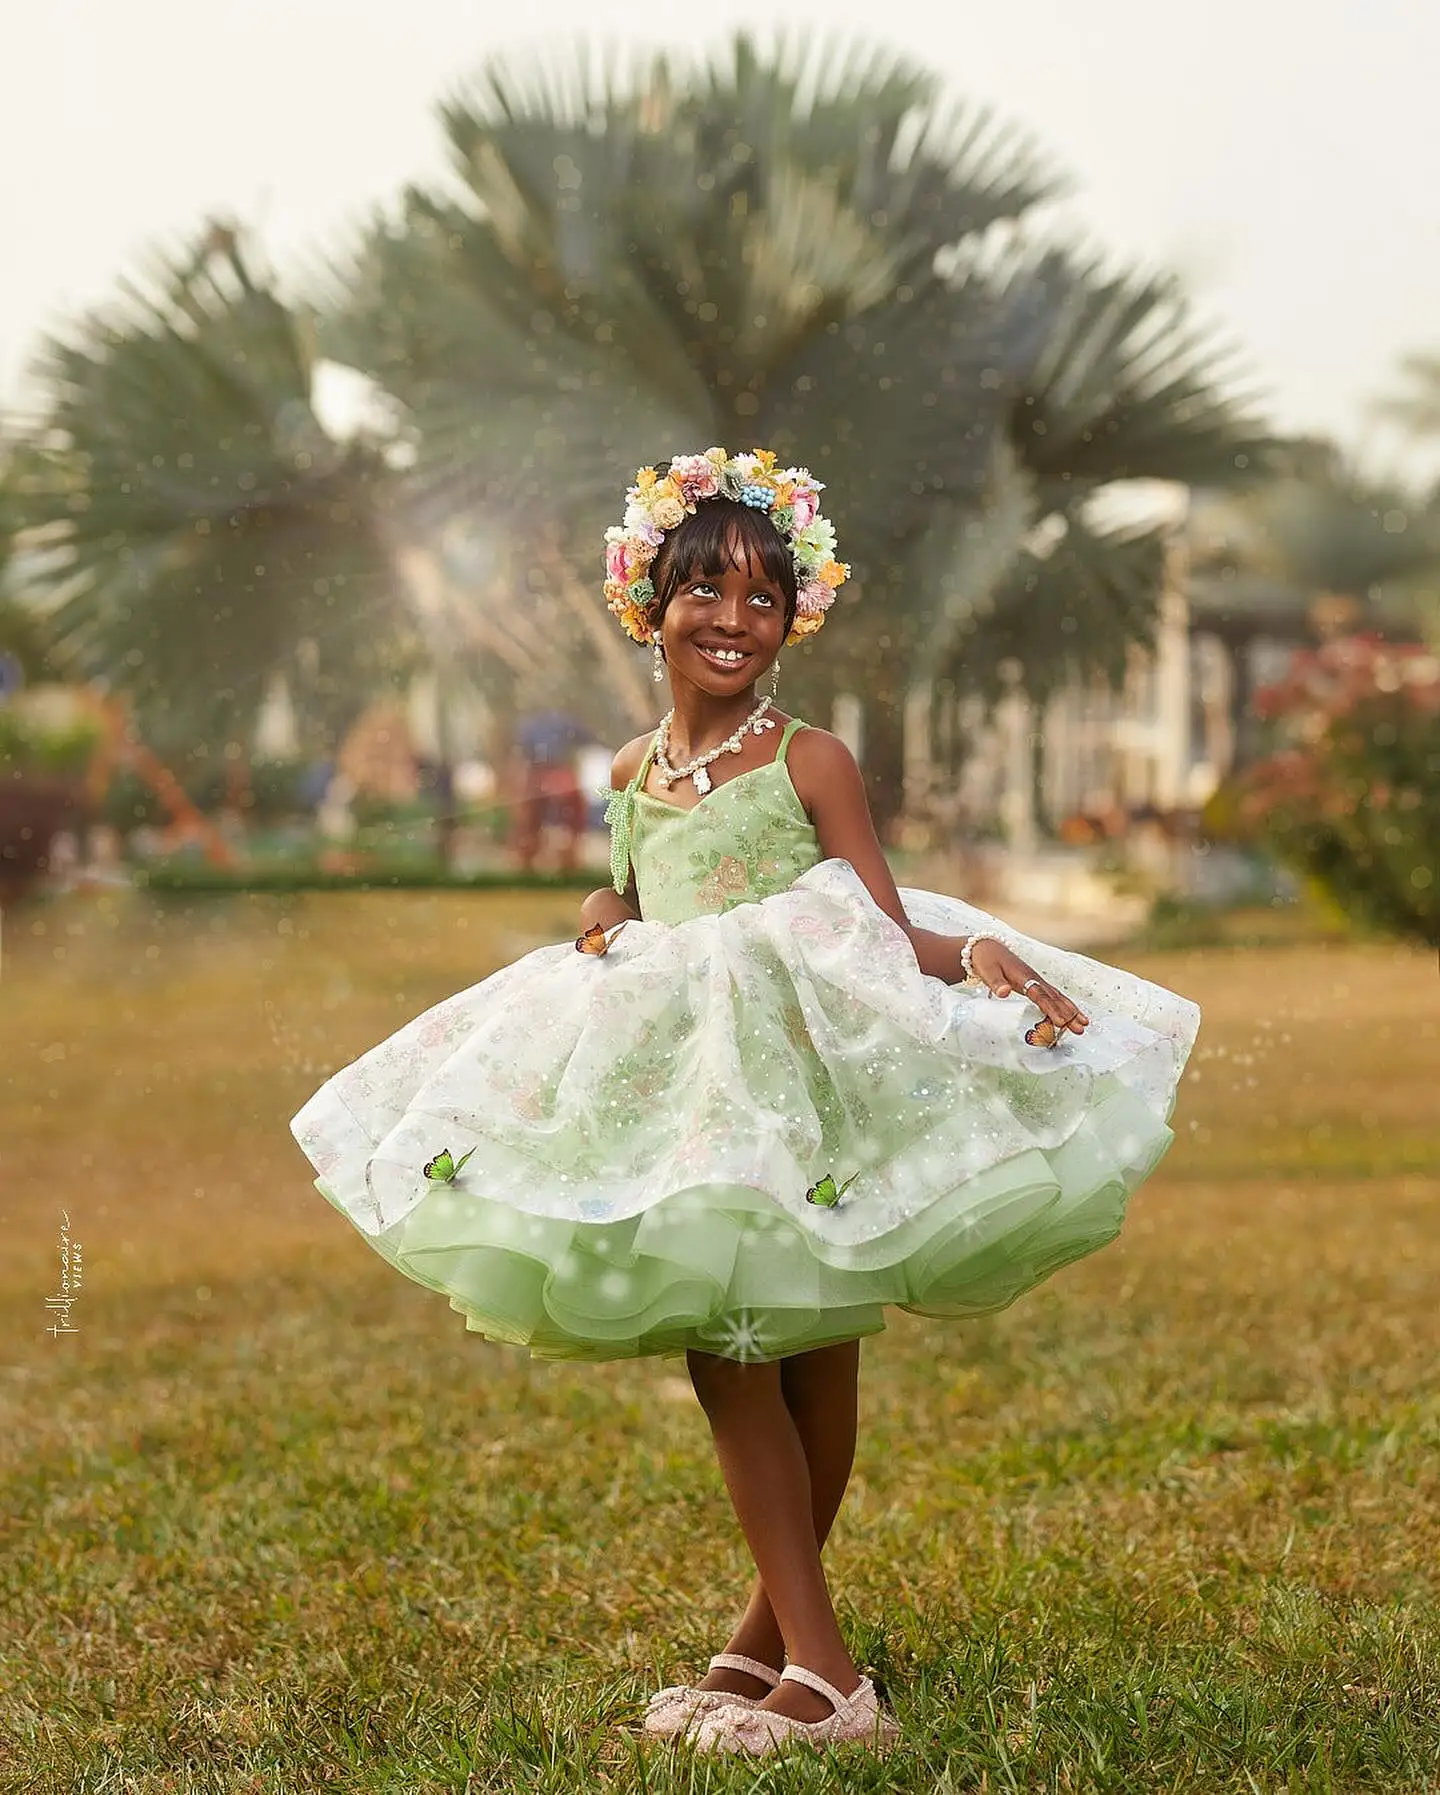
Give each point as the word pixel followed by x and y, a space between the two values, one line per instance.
pixel 786 1440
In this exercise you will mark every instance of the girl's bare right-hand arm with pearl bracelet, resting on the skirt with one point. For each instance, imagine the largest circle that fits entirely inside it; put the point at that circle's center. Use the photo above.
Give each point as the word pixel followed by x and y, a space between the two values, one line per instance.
pixel 830 787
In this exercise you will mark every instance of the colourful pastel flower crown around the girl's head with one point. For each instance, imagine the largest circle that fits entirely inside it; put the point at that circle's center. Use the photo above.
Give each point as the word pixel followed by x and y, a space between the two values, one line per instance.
pixel 658 503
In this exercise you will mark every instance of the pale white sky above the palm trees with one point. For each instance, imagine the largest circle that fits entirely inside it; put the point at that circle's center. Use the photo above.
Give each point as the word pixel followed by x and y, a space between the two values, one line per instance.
pixel 1283 155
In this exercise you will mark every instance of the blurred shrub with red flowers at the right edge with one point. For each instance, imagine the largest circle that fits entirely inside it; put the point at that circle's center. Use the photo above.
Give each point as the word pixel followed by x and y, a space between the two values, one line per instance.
pixel 1353 796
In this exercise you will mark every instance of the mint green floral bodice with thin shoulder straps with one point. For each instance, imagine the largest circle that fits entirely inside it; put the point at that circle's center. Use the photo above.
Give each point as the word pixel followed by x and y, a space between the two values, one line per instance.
pixel 748 839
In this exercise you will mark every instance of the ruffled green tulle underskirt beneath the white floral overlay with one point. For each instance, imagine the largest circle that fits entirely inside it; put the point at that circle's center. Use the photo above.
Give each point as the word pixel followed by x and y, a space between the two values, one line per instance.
pixel 723 1270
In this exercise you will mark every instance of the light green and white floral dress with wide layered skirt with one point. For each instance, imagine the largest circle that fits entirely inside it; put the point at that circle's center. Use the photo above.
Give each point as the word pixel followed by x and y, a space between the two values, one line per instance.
pixel 645 1125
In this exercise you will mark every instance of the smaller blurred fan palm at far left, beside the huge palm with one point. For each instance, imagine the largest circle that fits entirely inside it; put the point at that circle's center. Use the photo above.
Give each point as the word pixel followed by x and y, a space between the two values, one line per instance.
pixel 193 523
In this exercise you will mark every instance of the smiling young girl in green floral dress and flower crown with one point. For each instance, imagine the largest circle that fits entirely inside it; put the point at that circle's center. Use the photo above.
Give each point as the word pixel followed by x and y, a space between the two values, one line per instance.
pixel 769 1096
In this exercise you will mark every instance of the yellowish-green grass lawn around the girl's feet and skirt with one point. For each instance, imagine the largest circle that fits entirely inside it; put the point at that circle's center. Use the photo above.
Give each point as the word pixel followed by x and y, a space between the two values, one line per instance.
pixel 274 1521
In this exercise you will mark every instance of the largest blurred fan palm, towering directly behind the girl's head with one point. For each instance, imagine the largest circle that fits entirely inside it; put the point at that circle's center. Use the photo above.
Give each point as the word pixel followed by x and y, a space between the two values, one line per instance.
pixel 802 254
